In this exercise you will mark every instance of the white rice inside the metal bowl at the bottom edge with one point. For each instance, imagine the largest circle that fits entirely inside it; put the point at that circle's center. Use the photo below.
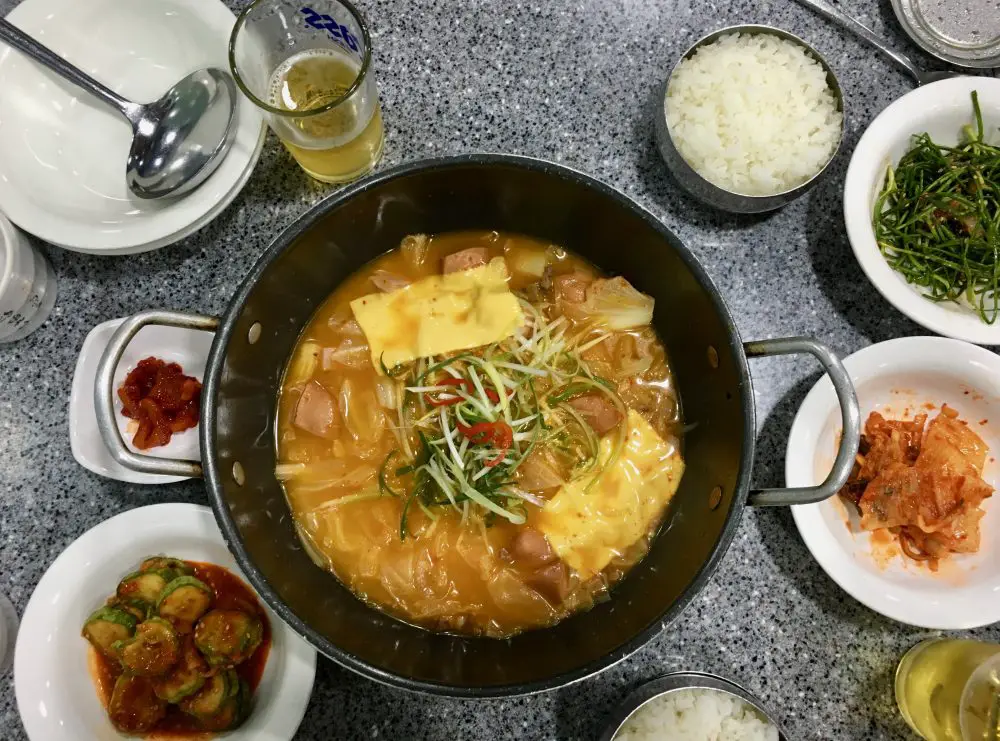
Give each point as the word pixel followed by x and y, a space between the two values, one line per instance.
pixel 696 715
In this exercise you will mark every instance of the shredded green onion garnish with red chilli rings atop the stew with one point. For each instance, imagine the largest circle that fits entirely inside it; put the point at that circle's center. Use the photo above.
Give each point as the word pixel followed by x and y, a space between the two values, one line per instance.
pixel 467 422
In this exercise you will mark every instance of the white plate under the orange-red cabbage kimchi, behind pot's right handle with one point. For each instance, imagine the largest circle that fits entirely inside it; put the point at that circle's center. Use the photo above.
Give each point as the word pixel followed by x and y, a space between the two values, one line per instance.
pixel 895 377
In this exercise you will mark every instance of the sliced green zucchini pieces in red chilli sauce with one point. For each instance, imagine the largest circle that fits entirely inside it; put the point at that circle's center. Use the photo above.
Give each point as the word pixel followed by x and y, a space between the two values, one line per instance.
pixel 181 645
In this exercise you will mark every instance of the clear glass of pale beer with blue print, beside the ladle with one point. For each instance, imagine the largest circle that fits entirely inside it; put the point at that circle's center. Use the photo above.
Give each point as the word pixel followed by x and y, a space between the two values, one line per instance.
pixel 307 65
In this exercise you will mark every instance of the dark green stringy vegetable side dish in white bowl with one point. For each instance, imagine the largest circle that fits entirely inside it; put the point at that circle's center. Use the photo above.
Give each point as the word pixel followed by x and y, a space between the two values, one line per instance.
pixel 937 219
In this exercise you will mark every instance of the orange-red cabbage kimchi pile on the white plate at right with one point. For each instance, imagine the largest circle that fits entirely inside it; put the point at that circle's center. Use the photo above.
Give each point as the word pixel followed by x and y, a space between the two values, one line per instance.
pixel 921 482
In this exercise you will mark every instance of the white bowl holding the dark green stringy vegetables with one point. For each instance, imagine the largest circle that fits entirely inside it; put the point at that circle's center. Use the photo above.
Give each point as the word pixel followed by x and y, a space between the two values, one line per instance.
pixel 940 109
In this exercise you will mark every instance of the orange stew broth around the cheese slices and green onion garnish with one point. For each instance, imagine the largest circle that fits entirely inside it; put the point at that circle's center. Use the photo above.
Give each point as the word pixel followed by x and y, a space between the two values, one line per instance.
pixel 459 572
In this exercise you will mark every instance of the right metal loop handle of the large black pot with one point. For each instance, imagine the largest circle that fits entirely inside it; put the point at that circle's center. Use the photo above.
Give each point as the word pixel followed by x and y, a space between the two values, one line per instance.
pixel 849 412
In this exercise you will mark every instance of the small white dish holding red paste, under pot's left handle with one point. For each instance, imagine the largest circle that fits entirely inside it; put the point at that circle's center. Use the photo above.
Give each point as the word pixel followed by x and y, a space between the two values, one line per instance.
pixel 189 348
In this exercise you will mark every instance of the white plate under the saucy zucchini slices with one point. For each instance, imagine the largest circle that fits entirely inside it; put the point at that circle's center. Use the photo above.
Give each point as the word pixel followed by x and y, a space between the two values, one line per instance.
pixel 55 694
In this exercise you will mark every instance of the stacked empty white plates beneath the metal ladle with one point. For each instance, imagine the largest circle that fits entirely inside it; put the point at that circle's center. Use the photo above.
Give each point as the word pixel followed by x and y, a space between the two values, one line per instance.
pixel 63 151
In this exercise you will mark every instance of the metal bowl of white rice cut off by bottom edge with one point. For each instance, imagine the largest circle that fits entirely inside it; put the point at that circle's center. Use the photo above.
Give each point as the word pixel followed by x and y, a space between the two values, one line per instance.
pixel 691 706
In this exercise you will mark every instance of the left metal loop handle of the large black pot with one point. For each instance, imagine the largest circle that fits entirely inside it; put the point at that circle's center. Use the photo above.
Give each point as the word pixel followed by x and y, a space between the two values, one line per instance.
pixel 104 392
